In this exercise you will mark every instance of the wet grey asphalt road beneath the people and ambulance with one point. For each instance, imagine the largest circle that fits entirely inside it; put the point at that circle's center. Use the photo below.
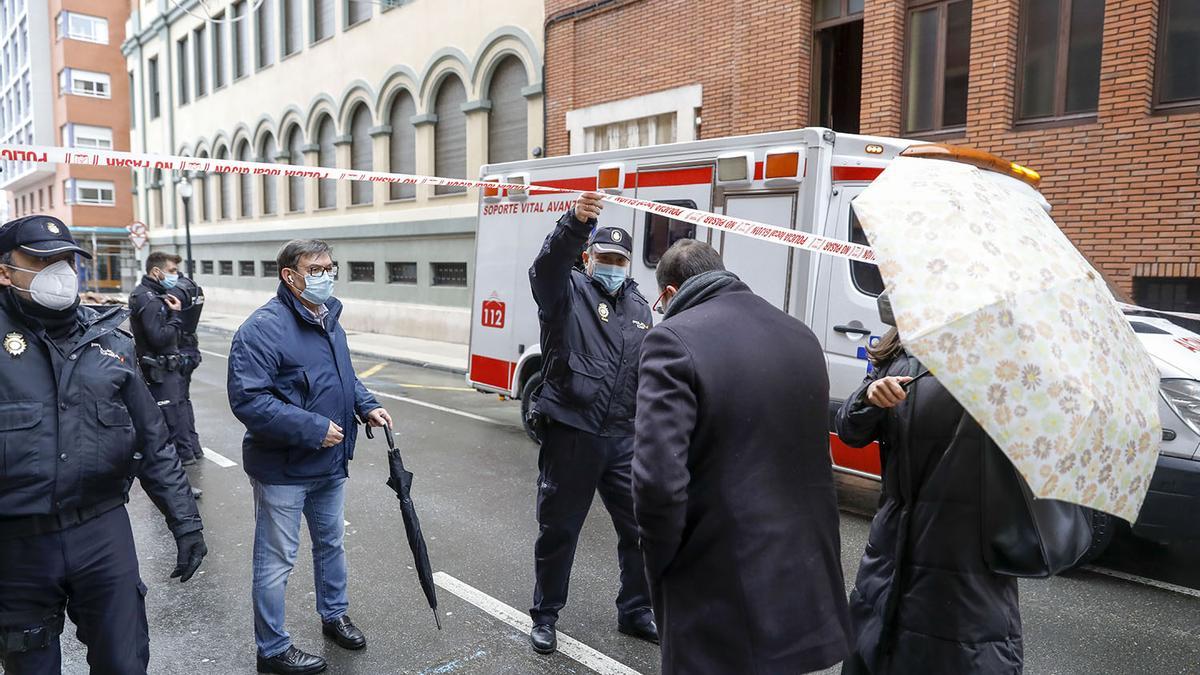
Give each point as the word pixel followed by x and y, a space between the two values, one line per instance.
pixel 475 492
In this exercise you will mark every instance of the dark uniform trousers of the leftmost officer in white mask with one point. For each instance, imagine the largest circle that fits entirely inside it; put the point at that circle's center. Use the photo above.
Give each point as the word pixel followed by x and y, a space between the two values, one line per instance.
pixel 92 572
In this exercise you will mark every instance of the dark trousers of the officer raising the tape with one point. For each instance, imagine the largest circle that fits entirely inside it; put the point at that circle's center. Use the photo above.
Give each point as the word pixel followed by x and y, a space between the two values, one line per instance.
pixel 573 467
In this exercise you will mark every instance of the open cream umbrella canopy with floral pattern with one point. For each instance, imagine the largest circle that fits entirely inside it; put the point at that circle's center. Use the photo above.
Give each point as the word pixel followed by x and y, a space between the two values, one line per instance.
pixel 1015 322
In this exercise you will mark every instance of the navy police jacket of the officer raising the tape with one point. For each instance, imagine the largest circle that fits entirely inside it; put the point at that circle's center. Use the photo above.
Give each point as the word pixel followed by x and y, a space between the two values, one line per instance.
pixel 591 341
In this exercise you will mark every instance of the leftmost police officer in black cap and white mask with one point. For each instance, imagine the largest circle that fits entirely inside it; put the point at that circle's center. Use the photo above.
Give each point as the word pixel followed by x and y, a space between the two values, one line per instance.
pixel 77 425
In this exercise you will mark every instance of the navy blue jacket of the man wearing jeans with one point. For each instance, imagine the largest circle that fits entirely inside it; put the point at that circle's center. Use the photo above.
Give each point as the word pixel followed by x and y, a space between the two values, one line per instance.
pixel 289 378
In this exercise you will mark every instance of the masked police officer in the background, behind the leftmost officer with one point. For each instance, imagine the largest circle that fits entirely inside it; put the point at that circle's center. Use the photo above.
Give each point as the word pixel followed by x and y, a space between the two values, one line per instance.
pixel 158 320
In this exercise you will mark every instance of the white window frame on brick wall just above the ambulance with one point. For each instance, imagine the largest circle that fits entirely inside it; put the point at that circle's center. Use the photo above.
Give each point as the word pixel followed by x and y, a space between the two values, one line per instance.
pixel 683 101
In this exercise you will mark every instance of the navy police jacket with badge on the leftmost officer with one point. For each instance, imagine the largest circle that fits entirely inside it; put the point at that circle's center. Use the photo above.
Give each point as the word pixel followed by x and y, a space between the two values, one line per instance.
pixel 77 425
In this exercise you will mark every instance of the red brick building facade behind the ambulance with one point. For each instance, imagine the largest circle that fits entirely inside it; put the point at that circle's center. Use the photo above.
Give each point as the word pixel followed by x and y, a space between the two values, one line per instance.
pixel 1123 171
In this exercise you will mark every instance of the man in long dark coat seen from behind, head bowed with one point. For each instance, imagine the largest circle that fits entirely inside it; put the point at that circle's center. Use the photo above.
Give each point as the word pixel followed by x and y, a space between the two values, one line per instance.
pixel 733 480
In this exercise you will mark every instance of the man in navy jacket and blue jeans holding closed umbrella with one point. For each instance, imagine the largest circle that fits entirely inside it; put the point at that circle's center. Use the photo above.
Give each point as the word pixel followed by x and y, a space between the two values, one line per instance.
pixel 293 386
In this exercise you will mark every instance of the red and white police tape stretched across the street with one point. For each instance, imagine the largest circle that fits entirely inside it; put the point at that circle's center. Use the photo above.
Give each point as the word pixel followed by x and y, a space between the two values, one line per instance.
pixel 796 240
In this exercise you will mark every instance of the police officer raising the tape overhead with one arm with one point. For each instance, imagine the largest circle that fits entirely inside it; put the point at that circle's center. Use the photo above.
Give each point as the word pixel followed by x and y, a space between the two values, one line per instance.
pixel 593 322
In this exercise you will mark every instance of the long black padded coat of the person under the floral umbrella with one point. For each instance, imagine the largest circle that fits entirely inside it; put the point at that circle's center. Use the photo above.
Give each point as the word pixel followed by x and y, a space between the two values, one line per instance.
pixel 950 614
